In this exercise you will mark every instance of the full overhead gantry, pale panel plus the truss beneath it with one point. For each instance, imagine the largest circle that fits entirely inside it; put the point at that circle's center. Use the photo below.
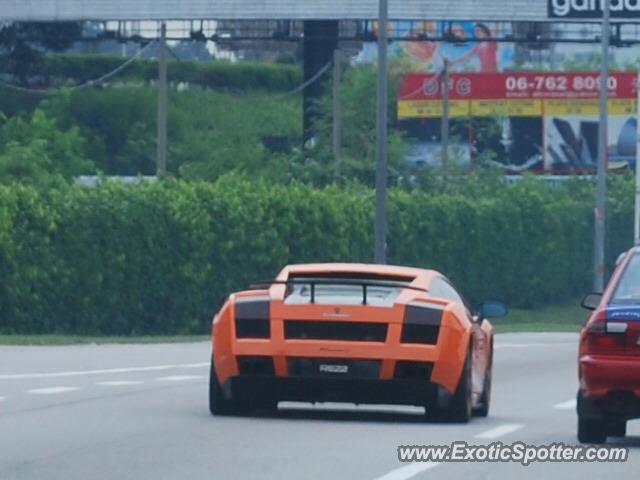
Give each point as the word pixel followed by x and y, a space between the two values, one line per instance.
pixel 282 20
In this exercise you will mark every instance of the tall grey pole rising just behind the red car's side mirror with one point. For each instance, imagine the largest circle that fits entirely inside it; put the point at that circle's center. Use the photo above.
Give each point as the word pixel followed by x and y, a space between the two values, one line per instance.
pixel 601 189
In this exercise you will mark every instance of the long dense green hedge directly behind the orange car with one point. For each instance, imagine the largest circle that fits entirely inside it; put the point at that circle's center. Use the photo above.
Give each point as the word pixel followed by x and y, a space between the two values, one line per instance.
pixel 159 259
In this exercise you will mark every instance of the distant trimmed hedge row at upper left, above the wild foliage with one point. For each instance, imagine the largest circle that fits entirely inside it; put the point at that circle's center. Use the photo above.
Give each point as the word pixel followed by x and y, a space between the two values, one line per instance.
pixel 243 76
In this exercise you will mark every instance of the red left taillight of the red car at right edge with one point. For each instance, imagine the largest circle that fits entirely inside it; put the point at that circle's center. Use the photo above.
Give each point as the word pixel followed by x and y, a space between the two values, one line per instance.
pixel 602 337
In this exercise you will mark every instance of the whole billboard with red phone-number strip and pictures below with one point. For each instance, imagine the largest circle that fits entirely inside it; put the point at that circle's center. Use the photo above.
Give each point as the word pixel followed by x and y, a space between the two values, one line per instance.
pixel 527 121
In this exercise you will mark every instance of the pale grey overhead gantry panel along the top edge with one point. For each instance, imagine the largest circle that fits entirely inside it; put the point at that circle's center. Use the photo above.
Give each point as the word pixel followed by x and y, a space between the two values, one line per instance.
pixel 473 10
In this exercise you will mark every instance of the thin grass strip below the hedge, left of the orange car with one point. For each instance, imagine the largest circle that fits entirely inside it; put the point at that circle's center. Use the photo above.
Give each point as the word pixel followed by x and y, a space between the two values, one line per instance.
pixel 41 340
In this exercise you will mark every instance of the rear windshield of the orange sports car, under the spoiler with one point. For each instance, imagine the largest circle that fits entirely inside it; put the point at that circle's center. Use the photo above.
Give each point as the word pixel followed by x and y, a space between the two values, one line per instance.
pixel 328 293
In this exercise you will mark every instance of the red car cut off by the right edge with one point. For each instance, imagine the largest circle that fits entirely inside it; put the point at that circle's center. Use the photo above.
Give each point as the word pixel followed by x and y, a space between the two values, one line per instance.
pixel 609 362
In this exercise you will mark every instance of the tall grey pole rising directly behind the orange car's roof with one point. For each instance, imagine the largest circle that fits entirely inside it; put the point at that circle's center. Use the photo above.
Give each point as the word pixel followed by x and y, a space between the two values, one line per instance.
pixel 381 170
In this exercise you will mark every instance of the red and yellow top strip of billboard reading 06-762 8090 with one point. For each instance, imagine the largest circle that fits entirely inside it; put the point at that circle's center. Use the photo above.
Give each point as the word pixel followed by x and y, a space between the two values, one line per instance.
pixel 514 94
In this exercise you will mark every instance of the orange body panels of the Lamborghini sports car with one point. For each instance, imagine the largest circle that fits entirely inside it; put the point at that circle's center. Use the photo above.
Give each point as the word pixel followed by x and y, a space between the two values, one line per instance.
pixel 448 355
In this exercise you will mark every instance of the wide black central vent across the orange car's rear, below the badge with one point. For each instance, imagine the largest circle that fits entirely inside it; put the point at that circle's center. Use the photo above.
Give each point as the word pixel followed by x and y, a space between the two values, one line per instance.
pixel 345 331
